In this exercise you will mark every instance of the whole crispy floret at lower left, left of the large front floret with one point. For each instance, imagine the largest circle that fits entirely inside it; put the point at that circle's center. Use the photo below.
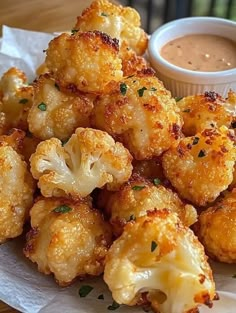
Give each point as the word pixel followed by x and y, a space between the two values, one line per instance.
pixel 69 239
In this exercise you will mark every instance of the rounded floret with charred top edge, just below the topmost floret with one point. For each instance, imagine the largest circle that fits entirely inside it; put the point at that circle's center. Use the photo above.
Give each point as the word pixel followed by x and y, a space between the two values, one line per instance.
pixel 87 61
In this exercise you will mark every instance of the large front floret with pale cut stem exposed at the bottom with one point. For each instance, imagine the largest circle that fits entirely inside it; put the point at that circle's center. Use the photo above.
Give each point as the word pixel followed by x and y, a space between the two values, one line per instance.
pixel 160 261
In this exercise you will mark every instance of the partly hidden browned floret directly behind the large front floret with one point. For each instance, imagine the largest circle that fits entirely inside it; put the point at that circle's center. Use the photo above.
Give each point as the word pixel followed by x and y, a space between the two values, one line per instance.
pixel 138 196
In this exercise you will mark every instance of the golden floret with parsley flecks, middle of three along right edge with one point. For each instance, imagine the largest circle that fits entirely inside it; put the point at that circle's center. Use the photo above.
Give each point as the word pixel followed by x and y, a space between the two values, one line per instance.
pixel 201 167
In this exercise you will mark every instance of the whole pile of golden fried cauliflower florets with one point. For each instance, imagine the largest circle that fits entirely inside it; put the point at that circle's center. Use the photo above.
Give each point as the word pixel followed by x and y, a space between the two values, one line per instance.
pixel 111 171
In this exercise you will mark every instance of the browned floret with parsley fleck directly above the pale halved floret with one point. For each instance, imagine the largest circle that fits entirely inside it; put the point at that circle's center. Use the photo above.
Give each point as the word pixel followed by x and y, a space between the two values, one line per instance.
pixel 56 113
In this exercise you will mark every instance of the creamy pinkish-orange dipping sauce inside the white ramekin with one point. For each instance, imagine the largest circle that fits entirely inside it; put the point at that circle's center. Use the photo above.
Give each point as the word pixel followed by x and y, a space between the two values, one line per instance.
pixel 207 53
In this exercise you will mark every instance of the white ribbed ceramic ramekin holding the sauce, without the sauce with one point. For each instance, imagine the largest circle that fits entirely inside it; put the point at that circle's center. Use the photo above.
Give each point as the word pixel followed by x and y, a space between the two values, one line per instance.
pixel 183 82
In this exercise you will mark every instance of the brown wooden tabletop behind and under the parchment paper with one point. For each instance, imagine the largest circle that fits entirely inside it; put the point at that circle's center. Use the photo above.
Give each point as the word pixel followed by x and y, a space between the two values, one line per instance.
pixel 39 15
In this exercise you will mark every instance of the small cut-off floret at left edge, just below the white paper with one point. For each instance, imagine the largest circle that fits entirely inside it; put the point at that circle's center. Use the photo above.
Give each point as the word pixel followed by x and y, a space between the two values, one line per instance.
pixel 15 100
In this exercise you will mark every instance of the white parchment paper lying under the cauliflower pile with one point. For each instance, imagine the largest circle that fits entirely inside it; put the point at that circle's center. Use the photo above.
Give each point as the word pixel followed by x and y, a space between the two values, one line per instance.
pixel 27 290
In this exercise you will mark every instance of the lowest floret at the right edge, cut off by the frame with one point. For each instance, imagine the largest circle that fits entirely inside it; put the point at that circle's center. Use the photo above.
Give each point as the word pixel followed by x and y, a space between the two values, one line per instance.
pixel 216 229
